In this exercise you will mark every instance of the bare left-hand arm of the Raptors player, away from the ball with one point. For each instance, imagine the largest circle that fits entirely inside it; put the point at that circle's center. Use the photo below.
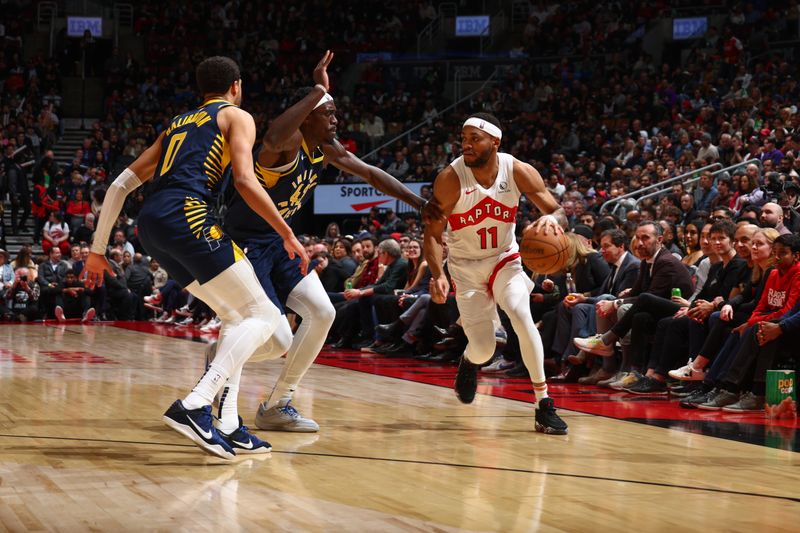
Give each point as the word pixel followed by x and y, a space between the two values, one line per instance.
pixel 446 191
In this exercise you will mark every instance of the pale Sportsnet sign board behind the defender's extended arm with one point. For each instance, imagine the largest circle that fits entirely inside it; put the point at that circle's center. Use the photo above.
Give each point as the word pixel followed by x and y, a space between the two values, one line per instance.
pixel 357 199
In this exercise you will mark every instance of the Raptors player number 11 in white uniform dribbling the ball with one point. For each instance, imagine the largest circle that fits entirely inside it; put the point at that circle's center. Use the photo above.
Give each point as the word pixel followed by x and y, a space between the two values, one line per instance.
pixel 479 194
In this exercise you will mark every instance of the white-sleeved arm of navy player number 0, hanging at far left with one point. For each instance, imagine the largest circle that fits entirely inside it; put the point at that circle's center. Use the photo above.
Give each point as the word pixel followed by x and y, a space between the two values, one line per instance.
pixel 129 179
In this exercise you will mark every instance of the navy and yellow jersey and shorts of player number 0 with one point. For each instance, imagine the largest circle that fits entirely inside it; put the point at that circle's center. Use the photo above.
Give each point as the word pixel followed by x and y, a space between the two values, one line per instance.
pixel 177 223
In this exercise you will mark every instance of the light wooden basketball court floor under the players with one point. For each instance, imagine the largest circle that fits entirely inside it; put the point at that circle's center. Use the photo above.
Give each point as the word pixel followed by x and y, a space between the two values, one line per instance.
pixel 84 448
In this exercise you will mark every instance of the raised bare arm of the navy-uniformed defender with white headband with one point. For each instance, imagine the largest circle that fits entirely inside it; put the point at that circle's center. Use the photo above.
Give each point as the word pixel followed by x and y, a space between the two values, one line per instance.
pixel 283 134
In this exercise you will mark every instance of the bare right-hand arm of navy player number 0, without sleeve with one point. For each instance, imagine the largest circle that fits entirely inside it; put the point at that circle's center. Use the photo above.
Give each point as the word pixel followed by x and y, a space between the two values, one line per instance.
pixel 240 131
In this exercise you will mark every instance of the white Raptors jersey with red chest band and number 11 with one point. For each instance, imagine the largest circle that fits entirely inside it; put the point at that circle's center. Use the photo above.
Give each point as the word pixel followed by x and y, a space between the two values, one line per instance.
pixel 483 221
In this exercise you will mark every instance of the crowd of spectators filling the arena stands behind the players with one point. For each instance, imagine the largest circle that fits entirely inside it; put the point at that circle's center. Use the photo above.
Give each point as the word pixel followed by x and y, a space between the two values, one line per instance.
pixel 604 121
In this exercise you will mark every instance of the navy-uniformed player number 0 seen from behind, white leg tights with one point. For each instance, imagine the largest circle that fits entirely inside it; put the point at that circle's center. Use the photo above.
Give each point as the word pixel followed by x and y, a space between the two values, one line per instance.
pixel 178 227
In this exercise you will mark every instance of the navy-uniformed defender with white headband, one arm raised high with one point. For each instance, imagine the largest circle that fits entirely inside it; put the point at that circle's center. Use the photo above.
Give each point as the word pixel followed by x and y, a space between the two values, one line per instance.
pixel 288 164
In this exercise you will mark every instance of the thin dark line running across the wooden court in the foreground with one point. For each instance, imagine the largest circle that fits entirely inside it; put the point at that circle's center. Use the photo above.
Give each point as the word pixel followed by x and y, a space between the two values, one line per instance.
pixel 437 463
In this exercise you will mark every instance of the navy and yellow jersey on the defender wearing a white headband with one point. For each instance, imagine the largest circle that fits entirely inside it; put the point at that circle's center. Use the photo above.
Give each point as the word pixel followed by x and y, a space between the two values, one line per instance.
pixel 290 187
